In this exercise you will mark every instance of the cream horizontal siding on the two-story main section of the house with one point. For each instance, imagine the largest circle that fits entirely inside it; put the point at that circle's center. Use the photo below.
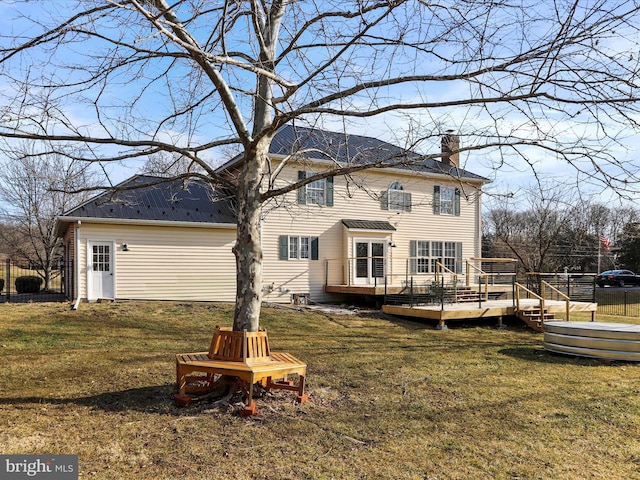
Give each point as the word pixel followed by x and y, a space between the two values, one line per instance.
pixel 284 278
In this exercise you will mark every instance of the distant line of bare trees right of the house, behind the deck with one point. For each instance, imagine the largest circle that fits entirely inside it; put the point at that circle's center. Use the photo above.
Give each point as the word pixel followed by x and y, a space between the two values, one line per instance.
pixel 548 230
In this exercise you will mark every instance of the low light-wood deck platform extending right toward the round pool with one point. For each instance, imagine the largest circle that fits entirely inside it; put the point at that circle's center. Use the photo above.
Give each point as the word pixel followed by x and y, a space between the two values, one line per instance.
pixel 488 309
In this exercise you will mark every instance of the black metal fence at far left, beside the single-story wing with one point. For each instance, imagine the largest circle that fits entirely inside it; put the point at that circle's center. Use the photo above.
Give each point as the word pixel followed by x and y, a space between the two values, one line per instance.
pixel 56 291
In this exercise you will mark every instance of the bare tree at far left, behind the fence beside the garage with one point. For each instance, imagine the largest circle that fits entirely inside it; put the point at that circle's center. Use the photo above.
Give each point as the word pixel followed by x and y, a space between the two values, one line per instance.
pixel 34 189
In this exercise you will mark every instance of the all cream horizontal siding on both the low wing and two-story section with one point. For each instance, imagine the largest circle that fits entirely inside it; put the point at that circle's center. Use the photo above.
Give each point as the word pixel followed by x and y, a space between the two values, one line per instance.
pixel 190 263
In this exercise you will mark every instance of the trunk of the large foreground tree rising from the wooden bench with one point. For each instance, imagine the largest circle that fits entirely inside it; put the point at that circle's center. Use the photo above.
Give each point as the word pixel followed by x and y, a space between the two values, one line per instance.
pixel 248 249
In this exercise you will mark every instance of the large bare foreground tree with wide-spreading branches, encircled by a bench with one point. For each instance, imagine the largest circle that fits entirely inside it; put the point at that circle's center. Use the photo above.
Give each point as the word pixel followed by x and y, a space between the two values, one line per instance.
pixel 132 78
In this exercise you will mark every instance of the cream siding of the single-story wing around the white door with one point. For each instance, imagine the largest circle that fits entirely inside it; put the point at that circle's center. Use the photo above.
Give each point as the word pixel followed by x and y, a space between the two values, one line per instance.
pixel 167 263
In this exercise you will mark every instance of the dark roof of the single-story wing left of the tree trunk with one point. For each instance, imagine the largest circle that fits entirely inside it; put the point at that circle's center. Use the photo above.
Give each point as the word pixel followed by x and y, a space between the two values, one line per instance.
pixel 152 198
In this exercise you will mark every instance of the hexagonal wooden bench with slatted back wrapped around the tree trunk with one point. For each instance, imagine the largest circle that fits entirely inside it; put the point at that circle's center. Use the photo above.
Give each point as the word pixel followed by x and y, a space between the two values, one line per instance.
pixel 244 355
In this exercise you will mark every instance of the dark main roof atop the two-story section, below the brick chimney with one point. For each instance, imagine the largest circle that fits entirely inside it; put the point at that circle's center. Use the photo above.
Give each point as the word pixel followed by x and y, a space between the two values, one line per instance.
pixel 356 149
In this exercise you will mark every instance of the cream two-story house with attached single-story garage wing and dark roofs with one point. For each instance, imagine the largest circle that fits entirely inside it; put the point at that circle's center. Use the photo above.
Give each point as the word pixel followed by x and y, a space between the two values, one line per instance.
pixel 343 234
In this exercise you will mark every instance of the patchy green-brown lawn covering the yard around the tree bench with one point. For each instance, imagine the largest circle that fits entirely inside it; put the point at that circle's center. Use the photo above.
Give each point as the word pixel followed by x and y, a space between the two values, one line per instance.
pixel 389 398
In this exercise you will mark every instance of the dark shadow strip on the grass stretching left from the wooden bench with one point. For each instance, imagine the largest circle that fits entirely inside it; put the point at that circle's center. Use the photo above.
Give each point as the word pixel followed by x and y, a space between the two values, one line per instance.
pixel 149 399
